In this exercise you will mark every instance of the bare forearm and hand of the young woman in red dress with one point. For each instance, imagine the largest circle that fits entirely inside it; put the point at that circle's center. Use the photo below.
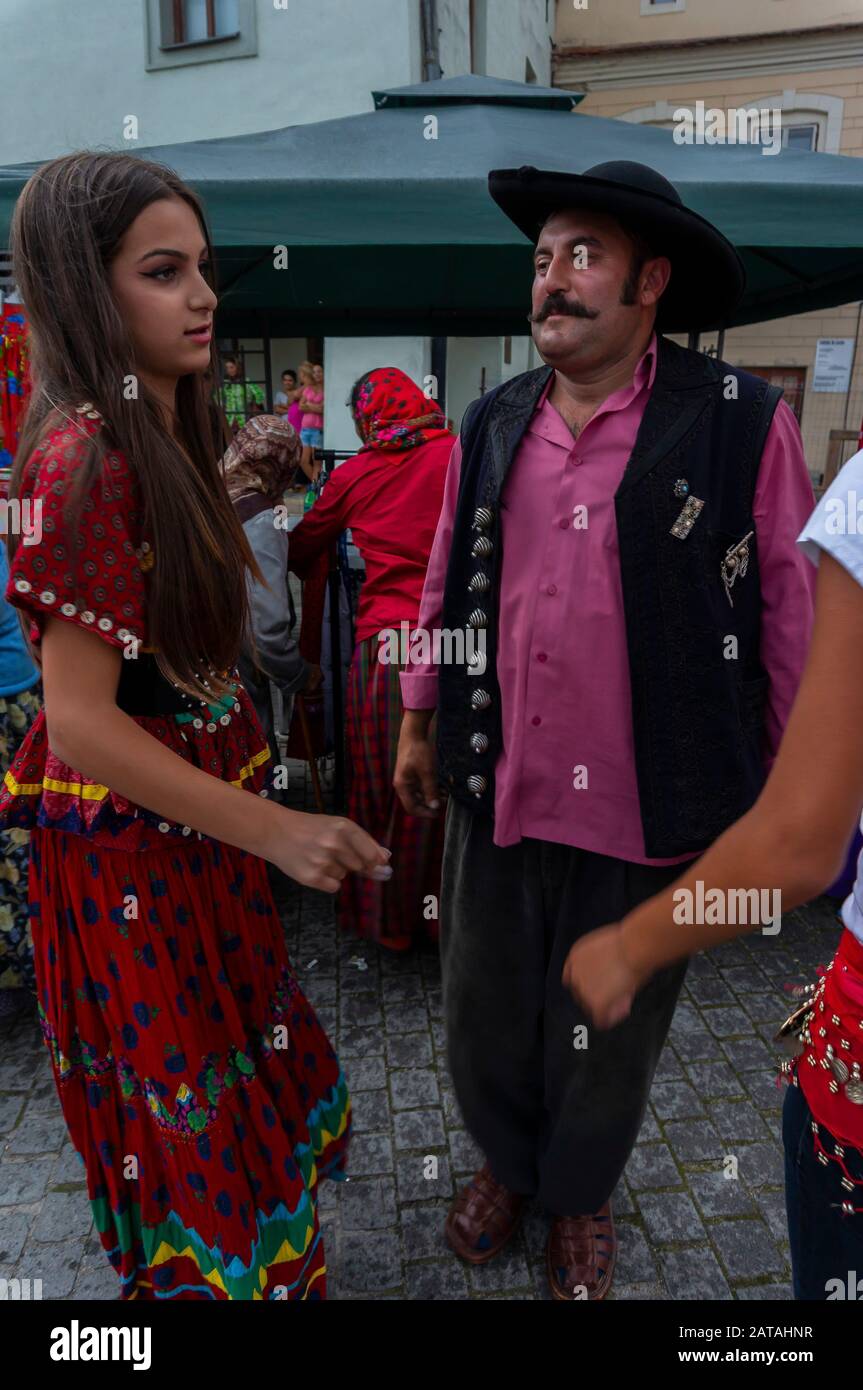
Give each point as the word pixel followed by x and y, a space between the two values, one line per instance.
pixel 88 732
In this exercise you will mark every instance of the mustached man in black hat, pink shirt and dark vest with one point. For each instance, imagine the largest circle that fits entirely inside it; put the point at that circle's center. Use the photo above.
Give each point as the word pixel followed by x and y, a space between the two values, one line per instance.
pixel 620 526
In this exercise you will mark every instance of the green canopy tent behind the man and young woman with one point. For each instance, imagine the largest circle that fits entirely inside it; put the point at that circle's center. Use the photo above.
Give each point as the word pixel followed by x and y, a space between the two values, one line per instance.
pixel 390 229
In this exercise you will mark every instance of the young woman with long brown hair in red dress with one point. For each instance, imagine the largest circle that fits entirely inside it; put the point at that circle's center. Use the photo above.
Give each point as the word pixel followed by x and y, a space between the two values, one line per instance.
pixel 195 1079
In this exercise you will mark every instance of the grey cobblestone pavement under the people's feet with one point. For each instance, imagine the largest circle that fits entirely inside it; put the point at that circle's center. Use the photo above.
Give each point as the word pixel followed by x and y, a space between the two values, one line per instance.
pixel 686 1231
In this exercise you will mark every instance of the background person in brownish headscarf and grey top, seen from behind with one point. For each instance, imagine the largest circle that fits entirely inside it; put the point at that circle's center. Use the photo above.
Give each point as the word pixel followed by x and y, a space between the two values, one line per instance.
pixel 258 469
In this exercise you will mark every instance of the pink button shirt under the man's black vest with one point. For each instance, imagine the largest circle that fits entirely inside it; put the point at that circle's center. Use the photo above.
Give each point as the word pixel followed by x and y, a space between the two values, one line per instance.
pixel 566 772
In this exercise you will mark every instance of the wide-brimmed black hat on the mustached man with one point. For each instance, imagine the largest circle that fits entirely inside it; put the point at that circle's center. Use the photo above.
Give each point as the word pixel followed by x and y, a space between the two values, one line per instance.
pixel 708 277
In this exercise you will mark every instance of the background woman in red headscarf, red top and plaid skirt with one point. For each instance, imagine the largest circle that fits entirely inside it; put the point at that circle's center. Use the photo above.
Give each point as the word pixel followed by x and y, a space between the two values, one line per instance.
pixel 390 496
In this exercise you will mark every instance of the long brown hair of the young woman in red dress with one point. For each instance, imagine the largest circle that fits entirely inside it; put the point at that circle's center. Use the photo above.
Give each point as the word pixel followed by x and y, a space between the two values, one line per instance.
pixel 67 229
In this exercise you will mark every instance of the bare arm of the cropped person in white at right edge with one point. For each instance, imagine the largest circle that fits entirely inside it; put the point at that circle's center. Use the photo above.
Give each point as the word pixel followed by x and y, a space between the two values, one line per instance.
pixel 793 840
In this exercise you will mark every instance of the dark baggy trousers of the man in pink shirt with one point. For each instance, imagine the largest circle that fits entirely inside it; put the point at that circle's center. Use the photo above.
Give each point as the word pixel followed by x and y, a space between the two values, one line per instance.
pixel 554 1118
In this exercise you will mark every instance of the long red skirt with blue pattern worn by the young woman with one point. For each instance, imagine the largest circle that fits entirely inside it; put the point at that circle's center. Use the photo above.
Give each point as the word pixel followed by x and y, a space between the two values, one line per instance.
pixel 195 1079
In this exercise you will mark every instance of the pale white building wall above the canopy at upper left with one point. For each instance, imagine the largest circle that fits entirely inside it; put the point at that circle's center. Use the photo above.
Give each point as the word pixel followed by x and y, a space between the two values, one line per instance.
pixel 74 70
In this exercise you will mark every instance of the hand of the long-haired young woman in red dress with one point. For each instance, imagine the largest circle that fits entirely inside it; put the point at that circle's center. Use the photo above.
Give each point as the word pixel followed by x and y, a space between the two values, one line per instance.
pixel 319 851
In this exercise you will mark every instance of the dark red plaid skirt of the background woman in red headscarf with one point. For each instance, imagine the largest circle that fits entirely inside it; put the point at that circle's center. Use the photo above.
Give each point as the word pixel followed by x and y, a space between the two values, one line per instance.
pixel 397 913
